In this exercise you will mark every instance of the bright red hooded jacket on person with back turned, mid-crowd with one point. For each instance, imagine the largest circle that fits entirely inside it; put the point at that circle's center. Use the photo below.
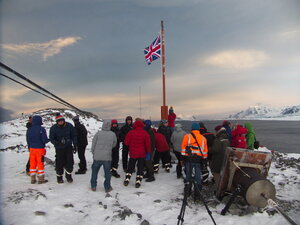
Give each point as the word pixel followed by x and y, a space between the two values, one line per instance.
pixel 138 141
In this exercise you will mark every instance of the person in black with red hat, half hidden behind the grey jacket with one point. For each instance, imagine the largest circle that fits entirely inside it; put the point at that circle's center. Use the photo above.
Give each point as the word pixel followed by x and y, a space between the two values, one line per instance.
pixel 115 151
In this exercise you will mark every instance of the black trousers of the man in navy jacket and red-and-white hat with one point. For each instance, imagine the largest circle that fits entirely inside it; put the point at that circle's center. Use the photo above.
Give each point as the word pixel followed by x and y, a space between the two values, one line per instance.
pixel 64 160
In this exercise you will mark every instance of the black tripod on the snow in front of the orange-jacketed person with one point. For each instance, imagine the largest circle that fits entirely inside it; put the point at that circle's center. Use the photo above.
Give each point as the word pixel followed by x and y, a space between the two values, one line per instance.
pixel 187 189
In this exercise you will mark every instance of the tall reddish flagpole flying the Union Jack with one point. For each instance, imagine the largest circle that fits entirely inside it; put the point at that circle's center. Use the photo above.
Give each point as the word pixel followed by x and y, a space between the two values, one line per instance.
pixel 164 108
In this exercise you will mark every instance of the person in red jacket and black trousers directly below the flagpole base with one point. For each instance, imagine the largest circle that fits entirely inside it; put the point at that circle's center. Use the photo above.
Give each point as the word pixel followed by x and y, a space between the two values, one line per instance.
pixel 162 152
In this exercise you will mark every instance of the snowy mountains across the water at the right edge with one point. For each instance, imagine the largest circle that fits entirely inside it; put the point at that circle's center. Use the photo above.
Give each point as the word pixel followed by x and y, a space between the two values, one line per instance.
pixel 261 111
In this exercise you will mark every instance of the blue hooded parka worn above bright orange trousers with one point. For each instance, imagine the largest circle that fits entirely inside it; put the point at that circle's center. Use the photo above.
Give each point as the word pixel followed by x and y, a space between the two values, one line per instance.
pixel 36 135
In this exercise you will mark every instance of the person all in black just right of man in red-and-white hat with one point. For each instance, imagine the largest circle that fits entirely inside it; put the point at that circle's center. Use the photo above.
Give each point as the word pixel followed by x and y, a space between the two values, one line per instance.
pixel 82 142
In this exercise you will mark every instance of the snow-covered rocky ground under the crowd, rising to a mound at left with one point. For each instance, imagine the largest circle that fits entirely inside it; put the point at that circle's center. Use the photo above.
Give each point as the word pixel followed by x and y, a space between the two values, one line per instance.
pixel 155 203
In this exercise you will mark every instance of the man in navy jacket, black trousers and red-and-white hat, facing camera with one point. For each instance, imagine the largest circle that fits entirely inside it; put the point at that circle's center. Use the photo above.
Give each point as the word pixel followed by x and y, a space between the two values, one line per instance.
pixel 63 137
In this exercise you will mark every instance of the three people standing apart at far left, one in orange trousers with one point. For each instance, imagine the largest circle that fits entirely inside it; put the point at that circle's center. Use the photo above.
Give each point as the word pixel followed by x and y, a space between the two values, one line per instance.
pixel 67 140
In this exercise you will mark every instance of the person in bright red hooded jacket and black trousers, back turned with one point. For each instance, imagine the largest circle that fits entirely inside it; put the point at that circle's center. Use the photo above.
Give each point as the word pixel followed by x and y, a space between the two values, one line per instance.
pixel 139 144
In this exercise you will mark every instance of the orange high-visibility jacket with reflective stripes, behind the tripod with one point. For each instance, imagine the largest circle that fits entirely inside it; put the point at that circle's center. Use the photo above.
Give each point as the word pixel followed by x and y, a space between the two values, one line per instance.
pixel 188 140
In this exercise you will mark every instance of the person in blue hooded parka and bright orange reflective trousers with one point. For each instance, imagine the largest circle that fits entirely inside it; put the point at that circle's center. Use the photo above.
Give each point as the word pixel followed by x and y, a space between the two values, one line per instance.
pixel 36 137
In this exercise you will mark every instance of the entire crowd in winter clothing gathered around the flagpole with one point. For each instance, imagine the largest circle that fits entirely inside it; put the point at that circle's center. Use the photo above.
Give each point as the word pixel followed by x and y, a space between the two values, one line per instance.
pixel 143 147
